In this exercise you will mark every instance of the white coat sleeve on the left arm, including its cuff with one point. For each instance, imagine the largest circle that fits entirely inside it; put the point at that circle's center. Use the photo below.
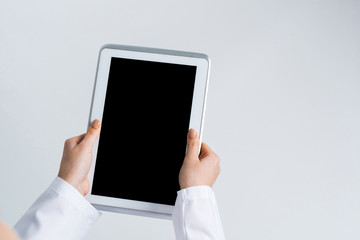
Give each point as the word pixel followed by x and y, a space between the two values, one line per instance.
pixel 61 212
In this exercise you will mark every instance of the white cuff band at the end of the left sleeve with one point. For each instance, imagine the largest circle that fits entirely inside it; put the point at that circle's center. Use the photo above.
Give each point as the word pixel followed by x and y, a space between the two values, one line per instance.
pixel 73 196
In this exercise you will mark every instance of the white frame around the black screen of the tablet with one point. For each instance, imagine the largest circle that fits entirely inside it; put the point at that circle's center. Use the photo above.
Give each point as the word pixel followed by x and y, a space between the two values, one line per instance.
pixel 201 61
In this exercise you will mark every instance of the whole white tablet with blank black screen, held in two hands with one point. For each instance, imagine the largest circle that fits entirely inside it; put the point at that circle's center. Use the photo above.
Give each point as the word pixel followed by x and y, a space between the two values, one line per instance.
pixel 147 99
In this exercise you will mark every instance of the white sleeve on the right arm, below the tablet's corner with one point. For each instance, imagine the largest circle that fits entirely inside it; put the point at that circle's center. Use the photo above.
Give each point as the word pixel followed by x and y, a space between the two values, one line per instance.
pixel 196 215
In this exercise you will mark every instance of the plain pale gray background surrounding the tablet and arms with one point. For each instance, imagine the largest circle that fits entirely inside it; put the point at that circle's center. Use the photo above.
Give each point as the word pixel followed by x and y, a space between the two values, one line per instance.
pixel 283 105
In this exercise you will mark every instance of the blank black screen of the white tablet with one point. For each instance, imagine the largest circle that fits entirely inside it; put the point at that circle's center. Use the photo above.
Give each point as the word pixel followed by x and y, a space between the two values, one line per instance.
pixel 144 126
